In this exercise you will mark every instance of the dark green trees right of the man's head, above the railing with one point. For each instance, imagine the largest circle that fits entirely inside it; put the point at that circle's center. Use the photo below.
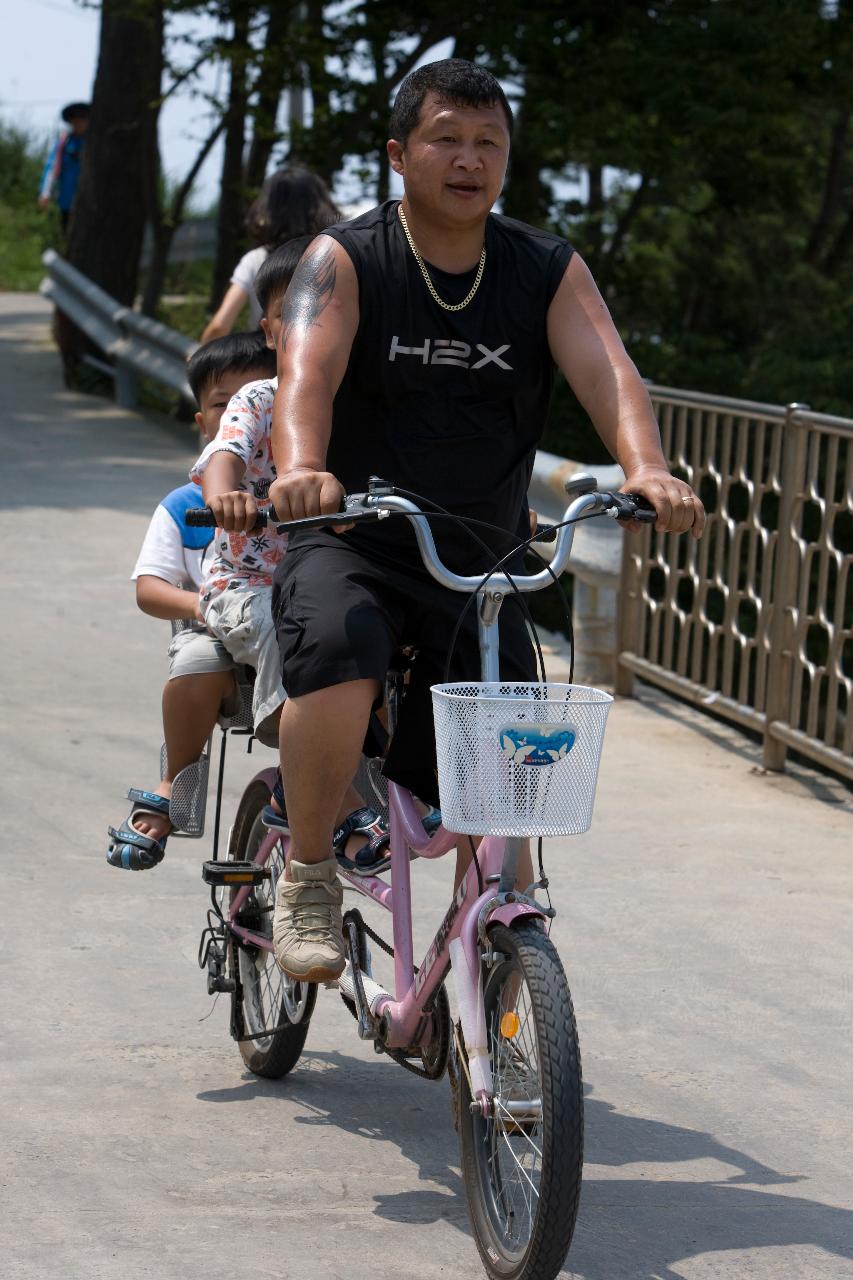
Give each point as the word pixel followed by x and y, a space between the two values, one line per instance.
pixel 715 148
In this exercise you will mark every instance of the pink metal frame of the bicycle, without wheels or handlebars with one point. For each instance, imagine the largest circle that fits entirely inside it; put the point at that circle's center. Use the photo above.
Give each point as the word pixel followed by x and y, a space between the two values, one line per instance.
pixel 459 936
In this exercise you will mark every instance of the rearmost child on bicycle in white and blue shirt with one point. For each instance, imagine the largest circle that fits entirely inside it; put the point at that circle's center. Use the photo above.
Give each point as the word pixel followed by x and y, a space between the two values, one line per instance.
pixel 168 575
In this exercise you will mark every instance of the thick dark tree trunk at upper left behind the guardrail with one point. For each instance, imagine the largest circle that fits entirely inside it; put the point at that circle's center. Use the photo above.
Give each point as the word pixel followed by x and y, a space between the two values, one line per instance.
pixel 107 230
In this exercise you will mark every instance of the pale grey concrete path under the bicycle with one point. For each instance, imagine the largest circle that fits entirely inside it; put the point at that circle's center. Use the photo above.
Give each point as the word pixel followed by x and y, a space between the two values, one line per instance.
pixel 705 924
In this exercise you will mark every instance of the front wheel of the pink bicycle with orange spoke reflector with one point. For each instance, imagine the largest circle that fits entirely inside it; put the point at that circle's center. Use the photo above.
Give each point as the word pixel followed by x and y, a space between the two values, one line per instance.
pixel 523 1165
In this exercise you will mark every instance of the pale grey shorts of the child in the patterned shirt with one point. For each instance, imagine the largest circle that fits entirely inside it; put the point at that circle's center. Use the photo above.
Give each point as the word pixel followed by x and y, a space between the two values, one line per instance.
pixel 243 620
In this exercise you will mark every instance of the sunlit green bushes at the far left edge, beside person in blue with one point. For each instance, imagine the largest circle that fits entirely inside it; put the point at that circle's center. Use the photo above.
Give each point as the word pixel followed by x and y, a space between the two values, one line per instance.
pixel 26 232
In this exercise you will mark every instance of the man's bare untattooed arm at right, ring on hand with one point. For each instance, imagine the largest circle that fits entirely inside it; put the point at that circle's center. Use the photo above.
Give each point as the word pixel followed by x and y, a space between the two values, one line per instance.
pixel 589 350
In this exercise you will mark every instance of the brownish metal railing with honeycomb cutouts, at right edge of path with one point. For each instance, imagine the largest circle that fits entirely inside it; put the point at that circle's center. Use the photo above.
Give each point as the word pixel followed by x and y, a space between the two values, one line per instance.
pixel 756 620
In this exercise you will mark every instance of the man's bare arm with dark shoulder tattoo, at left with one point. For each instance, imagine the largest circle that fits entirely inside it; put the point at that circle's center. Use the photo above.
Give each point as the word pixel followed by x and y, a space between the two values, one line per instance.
pixel 320 322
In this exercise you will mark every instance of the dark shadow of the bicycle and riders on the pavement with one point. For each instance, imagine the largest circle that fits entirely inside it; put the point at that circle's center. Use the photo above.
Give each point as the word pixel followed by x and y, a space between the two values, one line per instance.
pixel 628 1228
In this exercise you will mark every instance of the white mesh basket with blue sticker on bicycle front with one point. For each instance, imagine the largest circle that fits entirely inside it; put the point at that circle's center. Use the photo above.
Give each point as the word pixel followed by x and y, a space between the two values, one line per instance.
pixel 518 760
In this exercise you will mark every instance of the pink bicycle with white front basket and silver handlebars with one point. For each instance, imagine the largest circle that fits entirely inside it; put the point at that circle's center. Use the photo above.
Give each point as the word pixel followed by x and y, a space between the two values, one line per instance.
pixel 516 762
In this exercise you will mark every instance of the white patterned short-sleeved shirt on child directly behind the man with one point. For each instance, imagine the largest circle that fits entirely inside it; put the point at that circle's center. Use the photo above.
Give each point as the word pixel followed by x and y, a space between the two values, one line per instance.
pixel 244 560
